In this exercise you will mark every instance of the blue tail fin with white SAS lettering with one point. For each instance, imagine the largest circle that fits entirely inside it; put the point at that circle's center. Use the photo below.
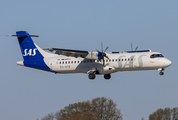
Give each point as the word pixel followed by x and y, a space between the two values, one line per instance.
pixel 28 48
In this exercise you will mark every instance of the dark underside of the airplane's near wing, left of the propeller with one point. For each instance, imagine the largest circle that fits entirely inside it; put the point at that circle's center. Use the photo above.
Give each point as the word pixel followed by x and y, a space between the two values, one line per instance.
pixel 68 52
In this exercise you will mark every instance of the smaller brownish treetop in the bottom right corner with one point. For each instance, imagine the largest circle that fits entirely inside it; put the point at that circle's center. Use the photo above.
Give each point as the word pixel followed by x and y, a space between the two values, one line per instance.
pixel 165 114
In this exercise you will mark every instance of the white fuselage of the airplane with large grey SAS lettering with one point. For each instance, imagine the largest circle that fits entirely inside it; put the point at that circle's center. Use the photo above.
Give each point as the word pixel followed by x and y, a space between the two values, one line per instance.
pixel 117 62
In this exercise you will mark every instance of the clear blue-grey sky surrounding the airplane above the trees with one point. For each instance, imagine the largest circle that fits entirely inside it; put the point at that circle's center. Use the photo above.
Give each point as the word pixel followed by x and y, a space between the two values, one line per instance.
pixel 29 94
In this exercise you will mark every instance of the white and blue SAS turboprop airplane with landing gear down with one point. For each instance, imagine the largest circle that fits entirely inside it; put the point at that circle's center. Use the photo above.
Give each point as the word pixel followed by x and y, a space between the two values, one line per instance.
pixel 89 62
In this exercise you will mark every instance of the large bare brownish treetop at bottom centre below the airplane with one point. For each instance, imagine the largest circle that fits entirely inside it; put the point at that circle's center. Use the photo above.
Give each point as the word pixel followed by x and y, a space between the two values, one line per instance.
pixel 97 109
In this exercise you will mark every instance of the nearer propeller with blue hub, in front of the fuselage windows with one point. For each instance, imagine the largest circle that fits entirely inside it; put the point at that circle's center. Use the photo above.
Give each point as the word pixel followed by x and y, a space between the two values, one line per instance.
pixel 102 55
